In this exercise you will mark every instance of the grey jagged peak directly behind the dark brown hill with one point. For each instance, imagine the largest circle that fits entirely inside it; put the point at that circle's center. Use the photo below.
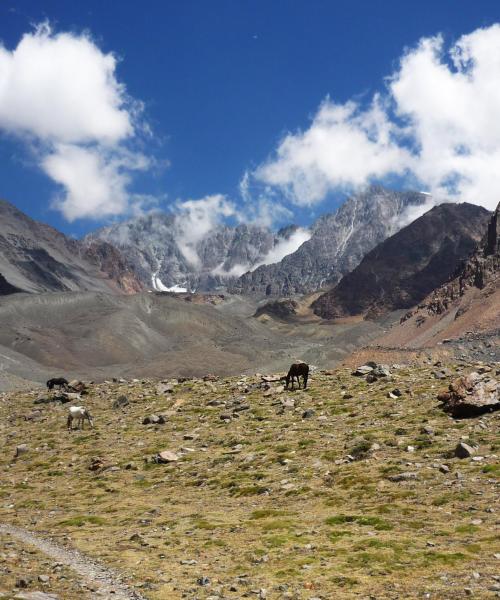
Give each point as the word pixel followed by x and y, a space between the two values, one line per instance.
pixel 338 243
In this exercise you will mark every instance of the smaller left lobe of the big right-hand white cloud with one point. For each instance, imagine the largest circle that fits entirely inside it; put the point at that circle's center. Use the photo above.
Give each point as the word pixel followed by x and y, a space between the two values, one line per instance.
pixel 344 147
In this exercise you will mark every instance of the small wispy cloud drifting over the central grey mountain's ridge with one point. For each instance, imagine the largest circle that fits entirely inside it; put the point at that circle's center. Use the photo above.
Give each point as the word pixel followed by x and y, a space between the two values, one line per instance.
pixel 196 219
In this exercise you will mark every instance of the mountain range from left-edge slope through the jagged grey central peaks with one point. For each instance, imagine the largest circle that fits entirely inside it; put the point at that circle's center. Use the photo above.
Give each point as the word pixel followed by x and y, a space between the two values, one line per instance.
pixel 152 251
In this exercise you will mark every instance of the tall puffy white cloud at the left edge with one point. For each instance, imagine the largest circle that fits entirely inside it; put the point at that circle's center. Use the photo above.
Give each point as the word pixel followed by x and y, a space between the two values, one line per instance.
pixel 60 91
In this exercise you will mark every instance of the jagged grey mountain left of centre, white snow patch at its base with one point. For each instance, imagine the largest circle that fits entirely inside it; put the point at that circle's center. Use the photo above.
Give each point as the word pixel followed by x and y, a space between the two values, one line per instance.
pixel 154 244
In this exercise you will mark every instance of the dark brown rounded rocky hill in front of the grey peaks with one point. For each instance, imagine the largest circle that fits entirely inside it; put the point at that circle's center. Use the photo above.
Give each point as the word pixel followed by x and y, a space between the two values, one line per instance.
pixel 401 271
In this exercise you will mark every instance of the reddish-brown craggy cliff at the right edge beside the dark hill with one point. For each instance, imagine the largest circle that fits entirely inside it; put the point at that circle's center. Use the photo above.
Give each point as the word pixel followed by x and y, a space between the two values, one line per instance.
pixel 481 270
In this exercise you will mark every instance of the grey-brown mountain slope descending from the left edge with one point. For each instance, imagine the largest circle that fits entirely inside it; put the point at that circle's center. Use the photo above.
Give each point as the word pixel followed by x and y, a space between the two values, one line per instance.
pixel 35 257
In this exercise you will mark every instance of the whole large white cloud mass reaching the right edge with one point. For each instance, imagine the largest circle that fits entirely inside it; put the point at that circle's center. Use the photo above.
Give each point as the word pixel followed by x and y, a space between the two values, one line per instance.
pixel 437 123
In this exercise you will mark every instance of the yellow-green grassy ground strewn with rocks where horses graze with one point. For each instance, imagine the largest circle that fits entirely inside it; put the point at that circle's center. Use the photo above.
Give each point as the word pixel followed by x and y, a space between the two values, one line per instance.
pixel 339 491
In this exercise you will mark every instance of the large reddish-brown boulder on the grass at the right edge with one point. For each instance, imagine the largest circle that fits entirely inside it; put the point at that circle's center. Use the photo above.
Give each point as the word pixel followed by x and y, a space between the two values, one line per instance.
pixel 471 396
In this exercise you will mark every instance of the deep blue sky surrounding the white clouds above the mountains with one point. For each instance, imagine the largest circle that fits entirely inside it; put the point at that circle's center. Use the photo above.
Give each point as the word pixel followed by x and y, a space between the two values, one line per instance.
pixel 223 82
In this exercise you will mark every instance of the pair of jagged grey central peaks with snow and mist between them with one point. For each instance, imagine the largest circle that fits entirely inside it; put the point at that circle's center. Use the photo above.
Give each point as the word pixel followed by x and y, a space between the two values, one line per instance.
pixel 236 258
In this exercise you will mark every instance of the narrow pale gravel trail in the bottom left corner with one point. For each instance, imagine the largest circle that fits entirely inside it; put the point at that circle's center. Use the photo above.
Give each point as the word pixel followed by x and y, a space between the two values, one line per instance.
pixel 104 582
